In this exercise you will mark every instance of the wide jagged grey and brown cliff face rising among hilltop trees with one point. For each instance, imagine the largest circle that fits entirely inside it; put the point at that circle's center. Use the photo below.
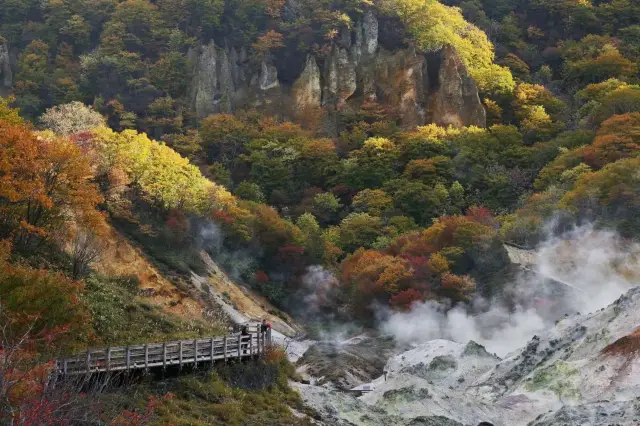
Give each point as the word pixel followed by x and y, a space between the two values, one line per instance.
pixel 356 69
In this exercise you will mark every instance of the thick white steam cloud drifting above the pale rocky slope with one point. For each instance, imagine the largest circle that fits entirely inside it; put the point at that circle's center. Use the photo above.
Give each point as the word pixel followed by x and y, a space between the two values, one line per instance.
pixel 599 264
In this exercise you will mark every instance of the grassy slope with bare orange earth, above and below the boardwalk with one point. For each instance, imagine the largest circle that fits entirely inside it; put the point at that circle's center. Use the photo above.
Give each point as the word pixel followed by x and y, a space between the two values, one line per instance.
pixel 149 301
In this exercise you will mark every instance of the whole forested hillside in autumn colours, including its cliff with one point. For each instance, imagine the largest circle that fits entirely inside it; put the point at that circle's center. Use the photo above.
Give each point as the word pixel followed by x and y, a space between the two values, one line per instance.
pixel 390 146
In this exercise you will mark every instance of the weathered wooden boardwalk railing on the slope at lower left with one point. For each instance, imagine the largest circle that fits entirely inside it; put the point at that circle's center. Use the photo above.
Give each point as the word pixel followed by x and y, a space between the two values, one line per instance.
pixel 166 354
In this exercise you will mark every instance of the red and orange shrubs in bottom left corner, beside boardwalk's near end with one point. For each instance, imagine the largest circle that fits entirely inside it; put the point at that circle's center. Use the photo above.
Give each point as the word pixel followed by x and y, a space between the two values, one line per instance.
pixel 27 397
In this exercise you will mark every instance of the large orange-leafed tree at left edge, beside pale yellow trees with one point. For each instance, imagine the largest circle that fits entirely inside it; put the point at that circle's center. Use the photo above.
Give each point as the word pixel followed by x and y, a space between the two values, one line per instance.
pixel 45 184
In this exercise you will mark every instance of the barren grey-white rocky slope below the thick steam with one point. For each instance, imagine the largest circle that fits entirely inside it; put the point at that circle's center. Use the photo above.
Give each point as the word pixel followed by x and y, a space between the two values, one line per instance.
pixel 586 370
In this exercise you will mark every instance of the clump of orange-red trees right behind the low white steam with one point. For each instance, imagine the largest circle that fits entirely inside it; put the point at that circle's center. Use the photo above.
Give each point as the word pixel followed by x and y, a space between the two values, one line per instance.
pixel 420 265
